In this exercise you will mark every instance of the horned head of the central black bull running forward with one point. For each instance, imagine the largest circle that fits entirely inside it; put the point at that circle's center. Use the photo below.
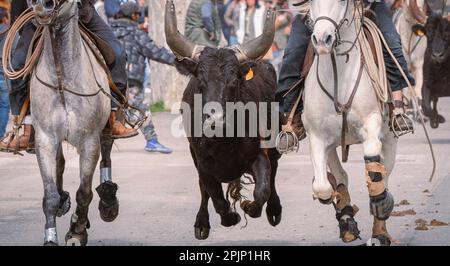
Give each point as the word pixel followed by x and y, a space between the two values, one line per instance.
pixel 220 72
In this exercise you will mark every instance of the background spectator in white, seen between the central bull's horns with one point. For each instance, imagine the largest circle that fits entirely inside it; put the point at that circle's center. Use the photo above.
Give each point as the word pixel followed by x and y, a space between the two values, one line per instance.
pixel 251 21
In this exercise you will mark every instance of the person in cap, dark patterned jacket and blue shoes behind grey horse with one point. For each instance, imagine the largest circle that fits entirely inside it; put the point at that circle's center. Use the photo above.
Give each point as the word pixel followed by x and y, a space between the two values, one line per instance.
pixel 139 48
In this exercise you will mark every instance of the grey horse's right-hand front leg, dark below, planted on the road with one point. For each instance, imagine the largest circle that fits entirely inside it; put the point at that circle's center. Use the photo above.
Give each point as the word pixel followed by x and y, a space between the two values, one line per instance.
pixel 89 155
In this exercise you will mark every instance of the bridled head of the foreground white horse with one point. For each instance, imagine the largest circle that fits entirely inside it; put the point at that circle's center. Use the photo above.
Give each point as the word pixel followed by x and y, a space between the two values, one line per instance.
pixel 328 16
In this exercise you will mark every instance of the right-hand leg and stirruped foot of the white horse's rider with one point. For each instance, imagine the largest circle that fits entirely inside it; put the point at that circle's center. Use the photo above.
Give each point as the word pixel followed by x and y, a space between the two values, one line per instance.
pixel 396 80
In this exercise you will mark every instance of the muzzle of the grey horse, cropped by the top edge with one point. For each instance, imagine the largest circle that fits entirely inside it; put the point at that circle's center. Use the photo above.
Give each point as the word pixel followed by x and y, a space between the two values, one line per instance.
pixel 53 12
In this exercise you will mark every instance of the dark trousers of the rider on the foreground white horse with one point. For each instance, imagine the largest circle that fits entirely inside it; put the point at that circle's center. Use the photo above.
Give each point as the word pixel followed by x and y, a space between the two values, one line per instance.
pixel 299 39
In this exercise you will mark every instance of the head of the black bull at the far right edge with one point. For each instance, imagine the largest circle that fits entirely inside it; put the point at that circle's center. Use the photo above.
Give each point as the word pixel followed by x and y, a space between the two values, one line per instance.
pixel 437 30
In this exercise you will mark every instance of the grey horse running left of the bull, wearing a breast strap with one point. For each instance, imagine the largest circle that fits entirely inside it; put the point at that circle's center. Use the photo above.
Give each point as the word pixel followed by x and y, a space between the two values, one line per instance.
pixel 73 108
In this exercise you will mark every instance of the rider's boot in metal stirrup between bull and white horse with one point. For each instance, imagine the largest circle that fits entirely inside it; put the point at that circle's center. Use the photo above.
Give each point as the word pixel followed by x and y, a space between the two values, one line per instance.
pixel 290 136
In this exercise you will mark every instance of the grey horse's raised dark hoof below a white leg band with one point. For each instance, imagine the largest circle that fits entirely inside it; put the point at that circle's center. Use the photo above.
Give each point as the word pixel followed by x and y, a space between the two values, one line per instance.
pixel 108 205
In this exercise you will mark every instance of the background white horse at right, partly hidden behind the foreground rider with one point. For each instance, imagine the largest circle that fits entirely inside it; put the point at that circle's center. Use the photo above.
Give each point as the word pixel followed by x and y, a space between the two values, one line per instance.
pixel 409 21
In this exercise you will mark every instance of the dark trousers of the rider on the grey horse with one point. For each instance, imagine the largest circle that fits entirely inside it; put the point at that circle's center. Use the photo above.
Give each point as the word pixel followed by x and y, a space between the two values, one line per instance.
pixel 19 87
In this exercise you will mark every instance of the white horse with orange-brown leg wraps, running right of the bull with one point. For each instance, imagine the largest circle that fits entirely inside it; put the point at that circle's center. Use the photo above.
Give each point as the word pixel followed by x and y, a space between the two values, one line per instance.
pixel 366 123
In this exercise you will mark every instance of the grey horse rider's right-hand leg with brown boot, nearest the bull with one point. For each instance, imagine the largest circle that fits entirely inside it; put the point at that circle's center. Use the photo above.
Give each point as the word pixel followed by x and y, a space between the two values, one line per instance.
pixel 117 68
